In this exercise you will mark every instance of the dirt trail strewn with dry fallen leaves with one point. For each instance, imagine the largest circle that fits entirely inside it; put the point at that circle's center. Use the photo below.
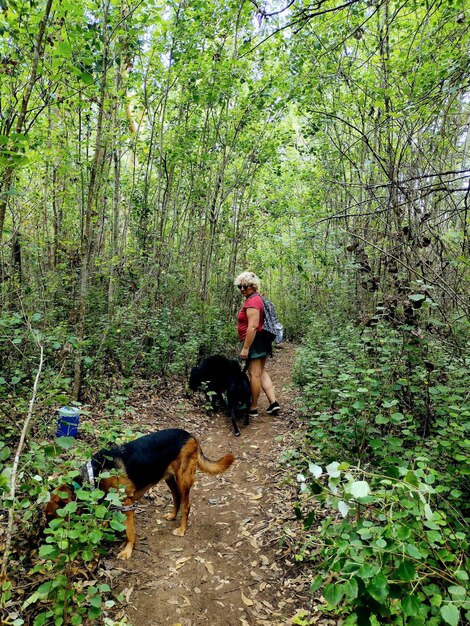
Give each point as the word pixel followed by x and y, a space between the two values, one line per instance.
pixel 230 568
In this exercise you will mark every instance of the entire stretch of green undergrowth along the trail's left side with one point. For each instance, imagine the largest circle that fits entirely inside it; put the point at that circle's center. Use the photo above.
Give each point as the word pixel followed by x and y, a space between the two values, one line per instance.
pixel 54 572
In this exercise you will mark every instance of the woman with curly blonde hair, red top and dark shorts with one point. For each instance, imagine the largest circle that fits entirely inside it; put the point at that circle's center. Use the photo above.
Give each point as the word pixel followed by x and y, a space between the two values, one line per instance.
pixel 256 345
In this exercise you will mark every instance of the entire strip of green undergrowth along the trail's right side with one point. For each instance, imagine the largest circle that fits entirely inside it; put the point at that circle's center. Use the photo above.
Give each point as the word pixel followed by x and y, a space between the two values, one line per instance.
pixel 387 455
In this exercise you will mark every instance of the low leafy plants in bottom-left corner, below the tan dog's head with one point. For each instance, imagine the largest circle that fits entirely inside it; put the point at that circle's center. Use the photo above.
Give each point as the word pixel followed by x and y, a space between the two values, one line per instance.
pixel 60 562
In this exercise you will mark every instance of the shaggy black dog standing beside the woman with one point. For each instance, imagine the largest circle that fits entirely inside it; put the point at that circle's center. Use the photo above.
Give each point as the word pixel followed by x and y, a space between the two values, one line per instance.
pixel 224 376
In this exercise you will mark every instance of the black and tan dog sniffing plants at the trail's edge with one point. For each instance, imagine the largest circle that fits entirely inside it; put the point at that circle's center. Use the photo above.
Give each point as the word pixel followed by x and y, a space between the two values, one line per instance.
pixel 173 455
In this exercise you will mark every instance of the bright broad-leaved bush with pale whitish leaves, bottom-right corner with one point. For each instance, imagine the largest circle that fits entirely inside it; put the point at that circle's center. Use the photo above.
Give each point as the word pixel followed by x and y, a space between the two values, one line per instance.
pixel 393 557
